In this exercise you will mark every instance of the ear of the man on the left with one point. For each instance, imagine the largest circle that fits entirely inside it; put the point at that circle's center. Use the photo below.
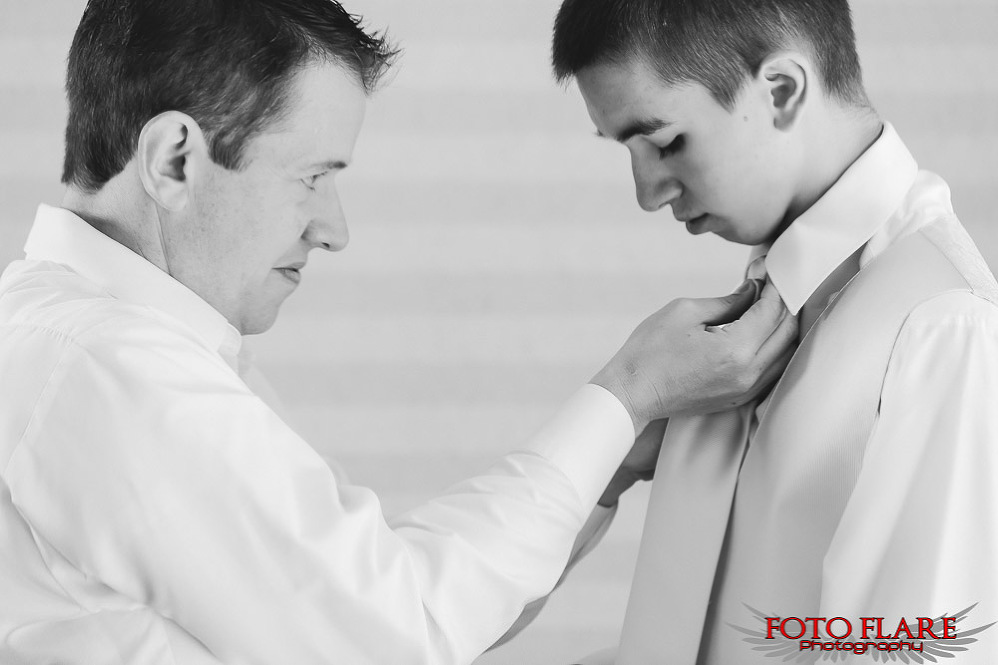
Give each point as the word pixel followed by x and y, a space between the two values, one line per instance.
pixel 171 149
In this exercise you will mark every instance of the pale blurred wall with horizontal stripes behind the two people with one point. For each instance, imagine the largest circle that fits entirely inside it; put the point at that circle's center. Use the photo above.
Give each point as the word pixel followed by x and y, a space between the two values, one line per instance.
pixel 498 256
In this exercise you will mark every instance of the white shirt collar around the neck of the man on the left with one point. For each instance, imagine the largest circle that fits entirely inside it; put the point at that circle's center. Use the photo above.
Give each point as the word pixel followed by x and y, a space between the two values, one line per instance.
pixel 60 236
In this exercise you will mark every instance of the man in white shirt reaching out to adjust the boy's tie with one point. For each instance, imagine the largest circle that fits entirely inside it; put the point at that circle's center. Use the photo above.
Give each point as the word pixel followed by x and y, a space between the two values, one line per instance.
pixel 154 509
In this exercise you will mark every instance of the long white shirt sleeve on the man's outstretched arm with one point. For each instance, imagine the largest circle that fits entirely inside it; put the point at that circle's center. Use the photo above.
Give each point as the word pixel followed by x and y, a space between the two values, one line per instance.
pixel 150 466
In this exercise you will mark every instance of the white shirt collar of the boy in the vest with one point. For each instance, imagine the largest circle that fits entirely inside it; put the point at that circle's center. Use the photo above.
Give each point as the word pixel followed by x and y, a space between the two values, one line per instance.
pixel 841 221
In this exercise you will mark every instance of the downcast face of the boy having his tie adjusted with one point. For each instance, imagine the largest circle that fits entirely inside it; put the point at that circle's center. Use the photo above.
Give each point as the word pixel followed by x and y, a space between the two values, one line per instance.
pixel 724 172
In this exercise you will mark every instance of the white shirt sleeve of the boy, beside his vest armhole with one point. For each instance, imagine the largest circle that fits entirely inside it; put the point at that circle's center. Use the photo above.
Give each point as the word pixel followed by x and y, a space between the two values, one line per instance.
pixel 919 537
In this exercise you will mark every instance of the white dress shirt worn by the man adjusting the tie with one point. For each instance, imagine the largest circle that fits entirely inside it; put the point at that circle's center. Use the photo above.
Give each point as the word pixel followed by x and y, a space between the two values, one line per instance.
pixel 155 511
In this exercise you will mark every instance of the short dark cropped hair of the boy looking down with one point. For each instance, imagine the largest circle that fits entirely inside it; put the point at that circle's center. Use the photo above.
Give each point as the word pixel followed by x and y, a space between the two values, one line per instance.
pixel 716 43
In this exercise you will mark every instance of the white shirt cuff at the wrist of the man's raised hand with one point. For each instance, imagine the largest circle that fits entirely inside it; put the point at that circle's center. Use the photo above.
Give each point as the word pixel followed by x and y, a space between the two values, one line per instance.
pixel 587 439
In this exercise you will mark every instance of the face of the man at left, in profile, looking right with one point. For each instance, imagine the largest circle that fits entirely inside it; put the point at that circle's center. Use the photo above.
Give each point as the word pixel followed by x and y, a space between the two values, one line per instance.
pixel 250 230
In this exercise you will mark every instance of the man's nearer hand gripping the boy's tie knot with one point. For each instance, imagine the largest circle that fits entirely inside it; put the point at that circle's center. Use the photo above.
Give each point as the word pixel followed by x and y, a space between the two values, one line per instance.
pixel 698 356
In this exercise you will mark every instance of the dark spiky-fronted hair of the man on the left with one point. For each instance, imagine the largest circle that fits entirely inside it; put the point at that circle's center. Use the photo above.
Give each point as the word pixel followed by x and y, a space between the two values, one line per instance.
pixel 226 63
